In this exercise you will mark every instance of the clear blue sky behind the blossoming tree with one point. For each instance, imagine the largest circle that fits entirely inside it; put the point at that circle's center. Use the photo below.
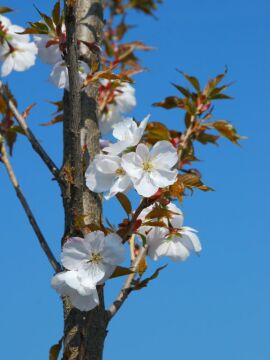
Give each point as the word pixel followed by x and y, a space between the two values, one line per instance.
pixel 215 306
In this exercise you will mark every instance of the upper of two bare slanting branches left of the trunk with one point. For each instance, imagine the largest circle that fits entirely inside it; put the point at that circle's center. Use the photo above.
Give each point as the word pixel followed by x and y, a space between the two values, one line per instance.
pixel 31 137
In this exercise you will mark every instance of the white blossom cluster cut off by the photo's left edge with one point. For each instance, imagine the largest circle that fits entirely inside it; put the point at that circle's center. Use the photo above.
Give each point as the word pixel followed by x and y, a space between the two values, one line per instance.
pixel 16 51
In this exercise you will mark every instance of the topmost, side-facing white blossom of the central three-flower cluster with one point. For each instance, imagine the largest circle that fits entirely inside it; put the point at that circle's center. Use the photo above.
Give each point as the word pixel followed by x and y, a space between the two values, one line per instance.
pixel 128 133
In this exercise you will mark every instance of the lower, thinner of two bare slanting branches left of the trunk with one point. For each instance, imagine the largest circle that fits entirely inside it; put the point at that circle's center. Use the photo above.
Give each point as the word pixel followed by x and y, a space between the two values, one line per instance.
pixel 4 158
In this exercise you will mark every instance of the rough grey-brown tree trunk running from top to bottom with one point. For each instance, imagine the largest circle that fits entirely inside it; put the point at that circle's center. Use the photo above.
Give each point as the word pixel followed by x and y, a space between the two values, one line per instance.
pixel 84 332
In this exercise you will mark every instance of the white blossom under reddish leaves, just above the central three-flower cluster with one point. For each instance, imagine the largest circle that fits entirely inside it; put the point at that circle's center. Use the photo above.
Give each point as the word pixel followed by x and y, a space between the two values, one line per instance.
pixel 124 102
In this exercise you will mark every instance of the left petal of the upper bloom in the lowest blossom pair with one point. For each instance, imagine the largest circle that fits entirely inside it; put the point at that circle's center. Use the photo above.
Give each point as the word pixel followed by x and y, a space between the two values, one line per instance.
pixel 74 253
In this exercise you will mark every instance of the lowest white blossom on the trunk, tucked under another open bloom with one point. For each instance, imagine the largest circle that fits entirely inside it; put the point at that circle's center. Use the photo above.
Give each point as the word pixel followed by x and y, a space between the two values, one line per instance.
pixel 68 284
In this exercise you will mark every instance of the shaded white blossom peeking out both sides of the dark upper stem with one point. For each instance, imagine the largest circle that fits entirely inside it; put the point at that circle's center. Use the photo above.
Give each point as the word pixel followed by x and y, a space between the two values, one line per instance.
pixel 59 74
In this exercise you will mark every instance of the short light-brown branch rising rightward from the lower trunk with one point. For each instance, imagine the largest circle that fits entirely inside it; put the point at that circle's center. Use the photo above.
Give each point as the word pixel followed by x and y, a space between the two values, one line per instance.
pixel 127 287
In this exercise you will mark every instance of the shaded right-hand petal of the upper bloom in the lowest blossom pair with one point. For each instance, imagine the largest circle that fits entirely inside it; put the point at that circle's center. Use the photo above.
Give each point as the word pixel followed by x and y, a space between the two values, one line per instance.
pixel 113 251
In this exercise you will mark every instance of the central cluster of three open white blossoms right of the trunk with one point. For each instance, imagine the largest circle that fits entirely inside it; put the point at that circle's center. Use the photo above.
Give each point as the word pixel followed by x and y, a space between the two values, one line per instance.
pixel 145 169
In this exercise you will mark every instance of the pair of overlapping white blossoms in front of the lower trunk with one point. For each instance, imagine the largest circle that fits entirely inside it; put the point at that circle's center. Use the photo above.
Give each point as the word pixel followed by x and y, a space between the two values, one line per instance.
pixel 88 262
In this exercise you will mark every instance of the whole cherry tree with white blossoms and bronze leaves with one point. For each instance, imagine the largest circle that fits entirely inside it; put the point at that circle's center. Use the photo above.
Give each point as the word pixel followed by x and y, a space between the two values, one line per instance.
pixel 107 153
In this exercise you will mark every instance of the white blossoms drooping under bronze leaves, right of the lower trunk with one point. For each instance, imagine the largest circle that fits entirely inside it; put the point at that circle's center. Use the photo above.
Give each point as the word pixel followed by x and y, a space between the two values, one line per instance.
pixel 176 244
